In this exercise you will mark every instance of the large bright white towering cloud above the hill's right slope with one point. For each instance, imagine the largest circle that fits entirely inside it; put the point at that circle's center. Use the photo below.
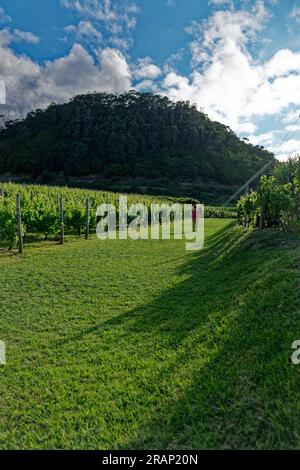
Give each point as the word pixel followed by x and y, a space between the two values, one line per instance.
pixel 227 80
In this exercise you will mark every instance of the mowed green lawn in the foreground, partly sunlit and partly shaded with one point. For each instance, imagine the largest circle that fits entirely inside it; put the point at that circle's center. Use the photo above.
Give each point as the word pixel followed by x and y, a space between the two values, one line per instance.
pixel 141 344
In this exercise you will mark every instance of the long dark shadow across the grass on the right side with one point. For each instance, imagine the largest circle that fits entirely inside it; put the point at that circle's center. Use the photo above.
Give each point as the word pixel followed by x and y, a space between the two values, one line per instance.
pixel 219 345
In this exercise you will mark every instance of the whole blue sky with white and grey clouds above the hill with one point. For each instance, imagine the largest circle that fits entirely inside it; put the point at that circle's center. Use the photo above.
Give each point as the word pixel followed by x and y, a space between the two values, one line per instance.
pixel 239 61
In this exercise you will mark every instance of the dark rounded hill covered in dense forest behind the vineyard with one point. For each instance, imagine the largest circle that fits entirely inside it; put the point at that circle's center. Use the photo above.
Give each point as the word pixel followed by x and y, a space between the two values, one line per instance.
pixel 131 135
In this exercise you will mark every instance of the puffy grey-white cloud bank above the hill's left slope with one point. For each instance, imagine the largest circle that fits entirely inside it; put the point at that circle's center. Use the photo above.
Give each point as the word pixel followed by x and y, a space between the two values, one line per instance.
pixel 30 85
